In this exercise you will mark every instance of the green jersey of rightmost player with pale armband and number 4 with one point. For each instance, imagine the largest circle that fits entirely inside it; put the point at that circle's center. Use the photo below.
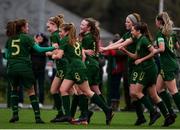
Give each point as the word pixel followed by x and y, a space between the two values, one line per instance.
pixel 167 58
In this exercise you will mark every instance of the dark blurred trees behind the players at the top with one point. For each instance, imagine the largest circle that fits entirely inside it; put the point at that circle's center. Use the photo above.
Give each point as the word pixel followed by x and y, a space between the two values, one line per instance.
pixel 112 13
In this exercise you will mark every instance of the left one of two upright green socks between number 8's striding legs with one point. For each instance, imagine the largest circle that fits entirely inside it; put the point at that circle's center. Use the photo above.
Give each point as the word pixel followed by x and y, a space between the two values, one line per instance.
pixel 75 102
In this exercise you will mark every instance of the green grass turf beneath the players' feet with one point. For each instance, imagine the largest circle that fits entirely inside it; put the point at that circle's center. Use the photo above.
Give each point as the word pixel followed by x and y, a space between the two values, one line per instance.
pixel 121 120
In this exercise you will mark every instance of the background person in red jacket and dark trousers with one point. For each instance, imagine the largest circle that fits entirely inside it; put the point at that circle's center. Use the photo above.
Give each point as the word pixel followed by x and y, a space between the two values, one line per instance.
pixel 115 69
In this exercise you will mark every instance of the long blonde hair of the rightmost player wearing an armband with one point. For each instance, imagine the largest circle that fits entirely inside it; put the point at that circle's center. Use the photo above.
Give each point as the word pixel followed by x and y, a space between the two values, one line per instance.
pixel 166 23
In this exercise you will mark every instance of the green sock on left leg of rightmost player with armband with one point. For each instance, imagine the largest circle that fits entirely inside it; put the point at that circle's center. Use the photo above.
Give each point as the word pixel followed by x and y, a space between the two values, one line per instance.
pixel 166 99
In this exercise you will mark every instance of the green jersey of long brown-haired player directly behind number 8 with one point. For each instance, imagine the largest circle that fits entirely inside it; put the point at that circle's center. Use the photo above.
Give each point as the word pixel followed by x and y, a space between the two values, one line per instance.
pixel 88 43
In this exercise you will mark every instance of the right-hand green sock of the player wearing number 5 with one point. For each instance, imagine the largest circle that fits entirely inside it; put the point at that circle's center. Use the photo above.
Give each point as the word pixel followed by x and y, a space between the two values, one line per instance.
pixel 35 105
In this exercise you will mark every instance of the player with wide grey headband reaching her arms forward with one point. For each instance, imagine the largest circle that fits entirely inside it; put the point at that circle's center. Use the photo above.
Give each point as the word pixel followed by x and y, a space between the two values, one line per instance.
pixel 125 40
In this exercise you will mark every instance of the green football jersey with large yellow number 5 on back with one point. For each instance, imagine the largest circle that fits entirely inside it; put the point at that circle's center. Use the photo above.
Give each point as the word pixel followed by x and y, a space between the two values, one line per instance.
pixel 18 54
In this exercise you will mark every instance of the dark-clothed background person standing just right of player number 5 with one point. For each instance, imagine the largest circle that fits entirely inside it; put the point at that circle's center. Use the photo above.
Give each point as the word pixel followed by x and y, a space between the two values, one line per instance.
pixel 38 66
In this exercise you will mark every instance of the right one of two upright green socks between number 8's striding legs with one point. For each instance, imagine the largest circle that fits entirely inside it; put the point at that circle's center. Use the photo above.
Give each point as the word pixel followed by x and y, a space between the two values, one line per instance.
pixel 83 104
